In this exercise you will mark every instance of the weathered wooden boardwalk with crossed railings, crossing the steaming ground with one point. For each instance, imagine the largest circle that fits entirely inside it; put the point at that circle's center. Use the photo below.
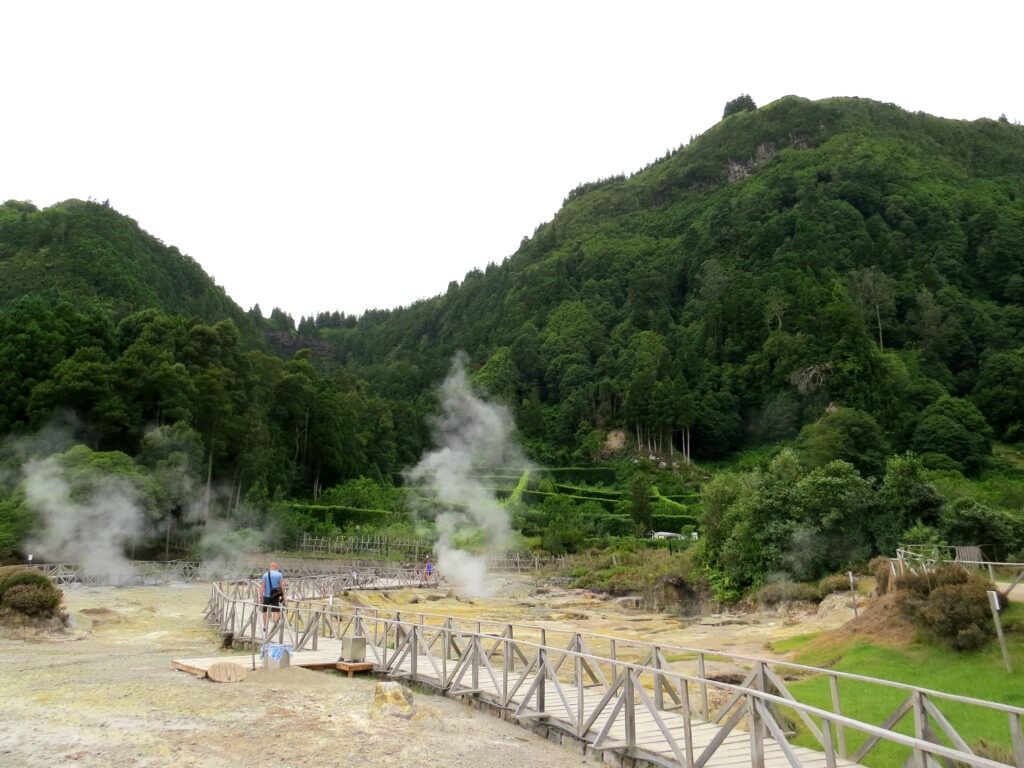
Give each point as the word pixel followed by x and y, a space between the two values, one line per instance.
pixel 635 703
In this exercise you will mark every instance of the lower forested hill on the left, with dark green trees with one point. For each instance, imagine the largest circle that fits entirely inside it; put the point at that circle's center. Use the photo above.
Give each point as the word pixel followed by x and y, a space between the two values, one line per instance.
pixel 125 345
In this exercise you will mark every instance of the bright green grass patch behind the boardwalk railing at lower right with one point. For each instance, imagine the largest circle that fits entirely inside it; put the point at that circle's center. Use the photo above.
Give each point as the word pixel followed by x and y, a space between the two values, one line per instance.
pixel 980 675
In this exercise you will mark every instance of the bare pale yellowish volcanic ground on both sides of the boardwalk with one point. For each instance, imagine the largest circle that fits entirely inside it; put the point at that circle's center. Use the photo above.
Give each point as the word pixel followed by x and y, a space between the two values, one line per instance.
pixel 106 694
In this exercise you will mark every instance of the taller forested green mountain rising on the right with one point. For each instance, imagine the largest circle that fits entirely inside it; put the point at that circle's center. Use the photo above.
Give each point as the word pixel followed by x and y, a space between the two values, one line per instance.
pixel 792 261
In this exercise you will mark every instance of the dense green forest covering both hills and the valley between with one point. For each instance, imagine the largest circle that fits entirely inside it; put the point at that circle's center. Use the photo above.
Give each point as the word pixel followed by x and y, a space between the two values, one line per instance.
pixel 835 288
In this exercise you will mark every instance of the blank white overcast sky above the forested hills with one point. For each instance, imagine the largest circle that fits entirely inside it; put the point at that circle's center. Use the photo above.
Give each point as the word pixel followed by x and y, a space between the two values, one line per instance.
pixel 345 156
